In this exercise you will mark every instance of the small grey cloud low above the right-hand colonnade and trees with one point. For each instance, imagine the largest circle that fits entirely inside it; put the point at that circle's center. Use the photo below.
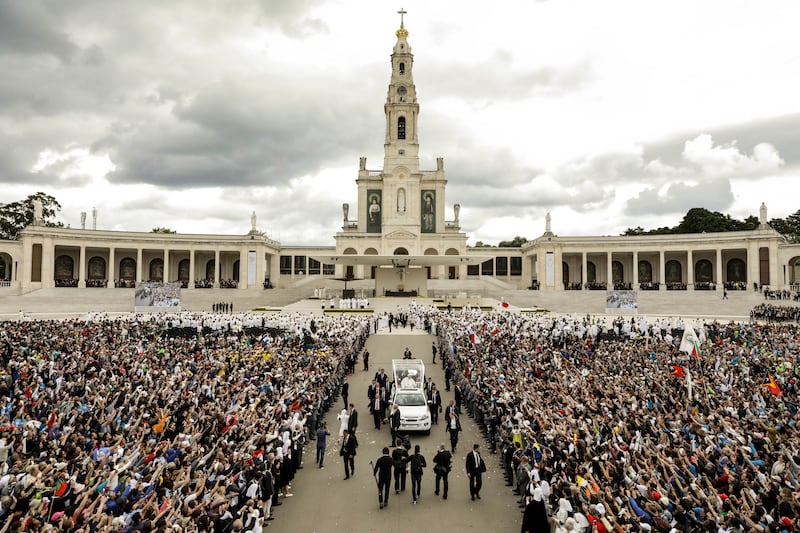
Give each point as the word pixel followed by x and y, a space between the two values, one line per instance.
pixel 714 195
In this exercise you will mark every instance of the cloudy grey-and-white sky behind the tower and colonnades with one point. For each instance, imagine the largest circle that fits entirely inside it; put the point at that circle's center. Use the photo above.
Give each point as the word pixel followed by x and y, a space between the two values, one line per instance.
pixel 191 114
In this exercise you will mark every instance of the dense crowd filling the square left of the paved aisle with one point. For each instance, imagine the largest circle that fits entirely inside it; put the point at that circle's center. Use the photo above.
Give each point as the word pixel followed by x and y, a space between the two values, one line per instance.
pixel 186 422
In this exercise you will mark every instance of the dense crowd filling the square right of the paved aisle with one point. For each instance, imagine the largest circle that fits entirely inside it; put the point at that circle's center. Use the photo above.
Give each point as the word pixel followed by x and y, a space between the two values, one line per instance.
pixel 611 426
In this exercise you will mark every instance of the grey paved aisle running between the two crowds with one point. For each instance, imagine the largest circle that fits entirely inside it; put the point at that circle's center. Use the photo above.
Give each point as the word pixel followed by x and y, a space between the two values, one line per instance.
pixel 323 501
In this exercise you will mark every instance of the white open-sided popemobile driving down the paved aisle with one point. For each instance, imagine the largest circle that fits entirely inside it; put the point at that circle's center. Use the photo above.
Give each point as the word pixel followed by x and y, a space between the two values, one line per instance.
pixel 409 395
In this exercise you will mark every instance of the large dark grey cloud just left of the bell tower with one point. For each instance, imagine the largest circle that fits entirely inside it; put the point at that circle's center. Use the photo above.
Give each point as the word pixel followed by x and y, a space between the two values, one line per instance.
pixel 252 132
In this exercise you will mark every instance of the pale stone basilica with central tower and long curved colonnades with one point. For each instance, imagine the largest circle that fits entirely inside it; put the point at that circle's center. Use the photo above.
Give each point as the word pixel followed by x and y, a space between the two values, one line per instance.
pixel 400 238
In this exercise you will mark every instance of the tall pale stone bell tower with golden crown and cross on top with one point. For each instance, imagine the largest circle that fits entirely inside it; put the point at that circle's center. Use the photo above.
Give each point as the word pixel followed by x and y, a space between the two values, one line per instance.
pixel 401 145
